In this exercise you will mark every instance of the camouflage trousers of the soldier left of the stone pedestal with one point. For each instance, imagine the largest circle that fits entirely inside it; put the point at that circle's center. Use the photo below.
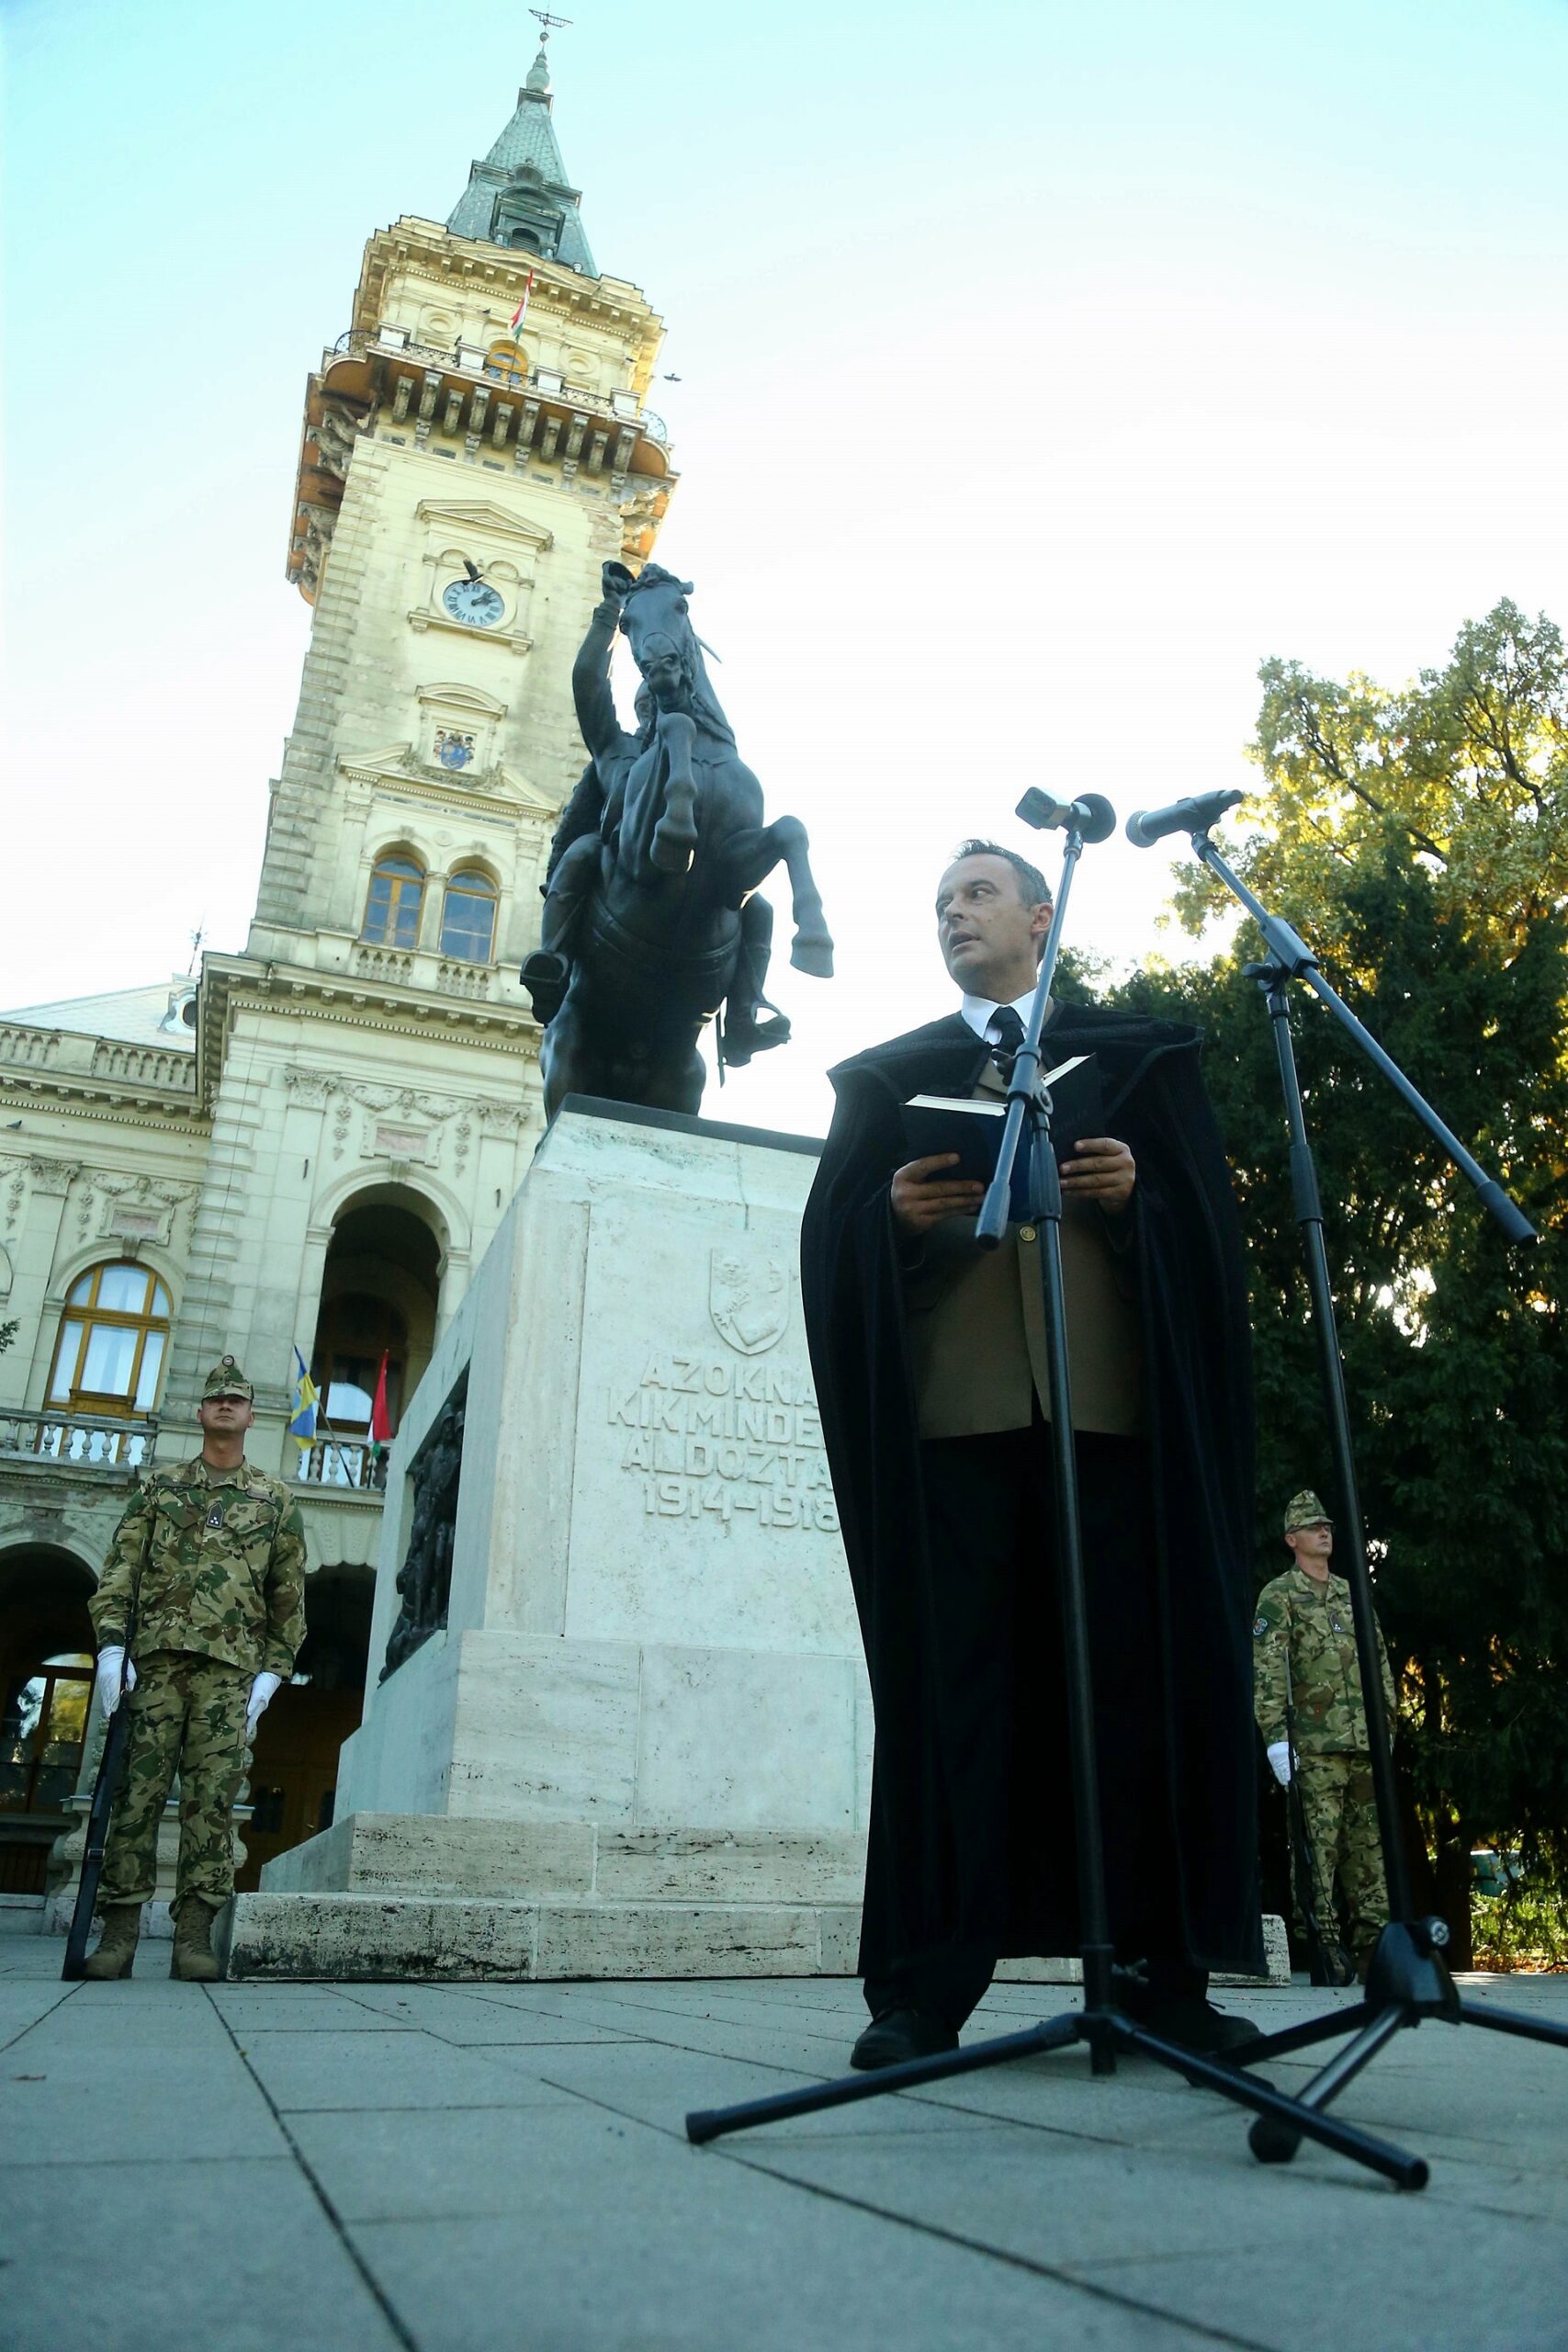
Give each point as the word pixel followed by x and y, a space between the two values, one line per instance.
pixel 189 1720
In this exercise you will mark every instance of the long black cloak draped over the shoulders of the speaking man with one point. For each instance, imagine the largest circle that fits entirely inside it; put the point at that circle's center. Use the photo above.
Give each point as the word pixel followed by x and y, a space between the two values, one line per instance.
pixel 1200 1438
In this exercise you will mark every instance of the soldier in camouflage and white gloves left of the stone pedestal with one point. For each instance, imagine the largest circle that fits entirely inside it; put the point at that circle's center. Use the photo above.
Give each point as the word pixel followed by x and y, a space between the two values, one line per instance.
pixel 206 1572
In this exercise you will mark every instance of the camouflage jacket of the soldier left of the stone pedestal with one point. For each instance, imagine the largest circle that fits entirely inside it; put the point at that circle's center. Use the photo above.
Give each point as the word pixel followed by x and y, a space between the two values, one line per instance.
pixel 213 1563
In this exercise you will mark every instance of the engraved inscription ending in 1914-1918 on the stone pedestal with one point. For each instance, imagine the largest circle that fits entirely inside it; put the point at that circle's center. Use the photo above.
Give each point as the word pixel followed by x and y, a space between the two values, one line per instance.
pixel 725 1441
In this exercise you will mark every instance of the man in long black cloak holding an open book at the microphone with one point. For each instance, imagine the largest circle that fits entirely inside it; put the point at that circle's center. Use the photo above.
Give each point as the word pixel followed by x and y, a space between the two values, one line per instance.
pixel 934 1410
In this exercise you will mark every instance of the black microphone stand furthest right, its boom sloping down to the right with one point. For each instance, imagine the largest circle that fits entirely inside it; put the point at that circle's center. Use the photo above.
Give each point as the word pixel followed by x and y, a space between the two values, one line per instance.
pixel 1409 1977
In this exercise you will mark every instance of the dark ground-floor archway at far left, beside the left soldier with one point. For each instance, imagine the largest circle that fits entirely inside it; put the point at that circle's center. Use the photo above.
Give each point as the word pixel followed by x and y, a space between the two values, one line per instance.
pixel 46 1692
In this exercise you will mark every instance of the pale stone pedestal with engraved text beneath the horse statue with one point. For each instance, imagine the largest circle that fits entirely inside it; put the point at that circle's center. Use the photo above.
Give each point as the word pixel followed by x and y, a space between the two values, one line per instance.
pixel 643 1739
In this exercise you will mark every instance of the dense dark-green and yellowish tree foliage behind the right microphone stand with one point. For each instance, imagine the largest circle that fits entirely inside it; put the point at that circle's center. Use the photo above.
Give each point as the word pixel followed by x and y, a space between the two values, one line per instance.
pixel 1421 843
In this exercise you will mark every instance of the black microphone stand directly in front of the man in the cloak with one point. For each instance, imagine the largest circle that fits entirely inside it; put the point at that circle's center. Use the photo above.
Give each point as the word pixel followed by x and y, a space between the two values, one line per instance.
pixel 1106 2029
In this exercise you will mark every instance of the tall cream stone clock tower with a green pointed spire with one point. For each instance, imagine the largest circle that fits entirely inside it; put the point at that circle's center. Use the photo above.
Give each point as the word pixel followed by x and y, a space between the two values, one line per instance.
pixel 476 446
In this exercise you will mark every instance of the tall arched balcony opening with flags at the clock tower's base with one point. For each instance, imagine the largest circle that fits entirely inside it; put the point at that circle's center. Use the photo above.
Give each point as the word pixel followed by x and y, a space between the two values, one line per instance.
pixel 380 1307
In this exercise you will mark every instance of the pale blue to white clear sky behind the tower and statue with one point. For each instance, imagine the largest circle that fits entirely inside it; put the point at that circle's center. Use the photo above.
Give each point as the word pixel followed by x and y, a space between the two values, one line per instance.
pixel 1043 370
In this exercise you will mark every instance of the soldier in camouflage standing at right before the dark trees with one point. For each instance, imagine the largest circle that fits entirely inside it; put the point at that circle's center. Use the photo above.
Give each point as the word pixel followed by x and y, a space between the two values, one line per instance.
pixel 1306 1657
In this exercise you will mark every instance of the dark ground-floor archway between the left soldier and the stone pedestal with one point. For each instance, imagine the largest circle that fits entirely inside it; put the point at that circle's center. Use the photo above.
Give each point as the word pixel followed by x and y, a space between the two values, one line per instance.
pixel 295 1765
